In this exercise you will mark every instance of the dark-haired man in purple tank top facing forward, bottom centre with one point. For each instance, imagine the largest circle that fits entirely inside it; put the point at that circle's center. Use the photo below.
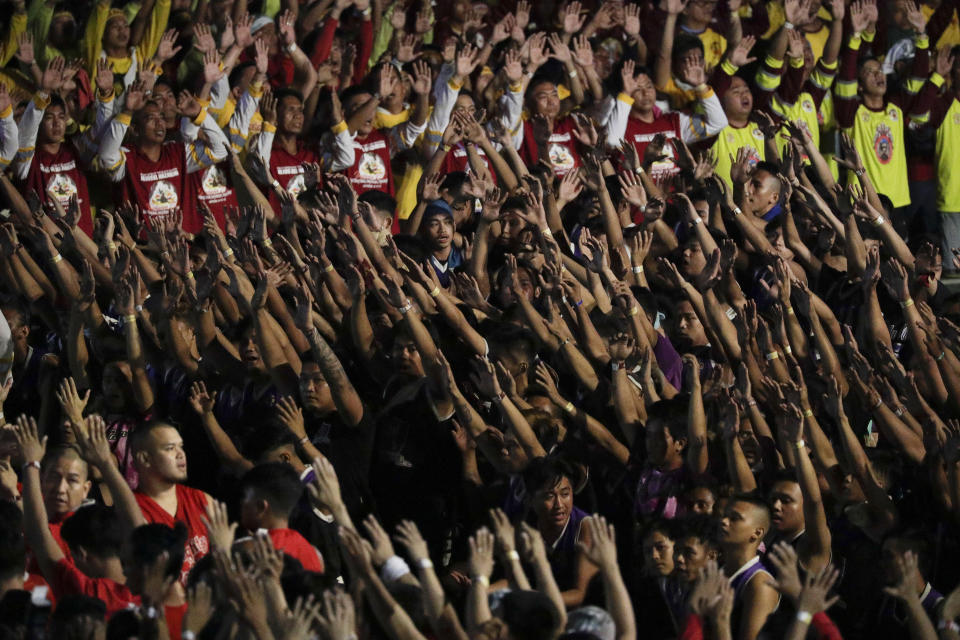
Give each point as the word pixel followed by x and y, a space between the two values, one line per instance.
pixel 550 484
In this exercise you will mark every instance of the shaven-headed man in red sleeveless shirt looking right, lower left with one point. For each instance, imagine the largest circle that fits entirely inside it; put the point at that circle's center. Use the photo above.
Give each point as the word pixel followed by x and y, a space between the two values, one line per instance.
pixel 162 465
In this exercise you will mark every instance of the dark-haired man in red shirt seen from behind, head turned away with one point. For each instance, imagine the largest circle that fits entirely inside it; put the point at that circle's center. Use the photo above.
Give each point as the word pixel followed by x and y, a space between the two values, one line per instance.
pixel 268 493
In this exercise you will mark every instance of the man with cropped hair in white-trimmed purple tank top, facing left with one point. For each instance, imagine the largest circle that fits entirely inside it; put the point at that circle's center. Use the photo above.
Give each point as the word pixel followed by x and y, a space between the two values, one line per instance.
pixel 745 522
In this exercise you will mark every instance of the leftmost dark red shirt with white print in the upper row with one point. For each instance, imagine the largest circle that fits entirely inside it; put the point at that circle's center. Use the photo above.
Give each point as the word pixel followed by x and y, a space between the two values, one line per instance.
pixel 58 174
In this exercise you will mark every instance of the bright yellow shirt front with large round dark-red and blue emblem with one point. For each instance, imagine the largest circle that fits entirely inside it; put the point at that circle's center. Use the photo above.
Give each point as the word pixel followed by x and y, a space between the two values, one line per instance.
pixel 878 136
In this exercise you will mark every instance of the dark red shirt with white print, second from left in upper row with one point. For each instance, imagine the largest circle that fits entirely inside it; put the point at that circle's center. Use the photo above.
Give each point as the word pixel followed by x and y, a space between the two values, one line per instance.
pixel 161 187
